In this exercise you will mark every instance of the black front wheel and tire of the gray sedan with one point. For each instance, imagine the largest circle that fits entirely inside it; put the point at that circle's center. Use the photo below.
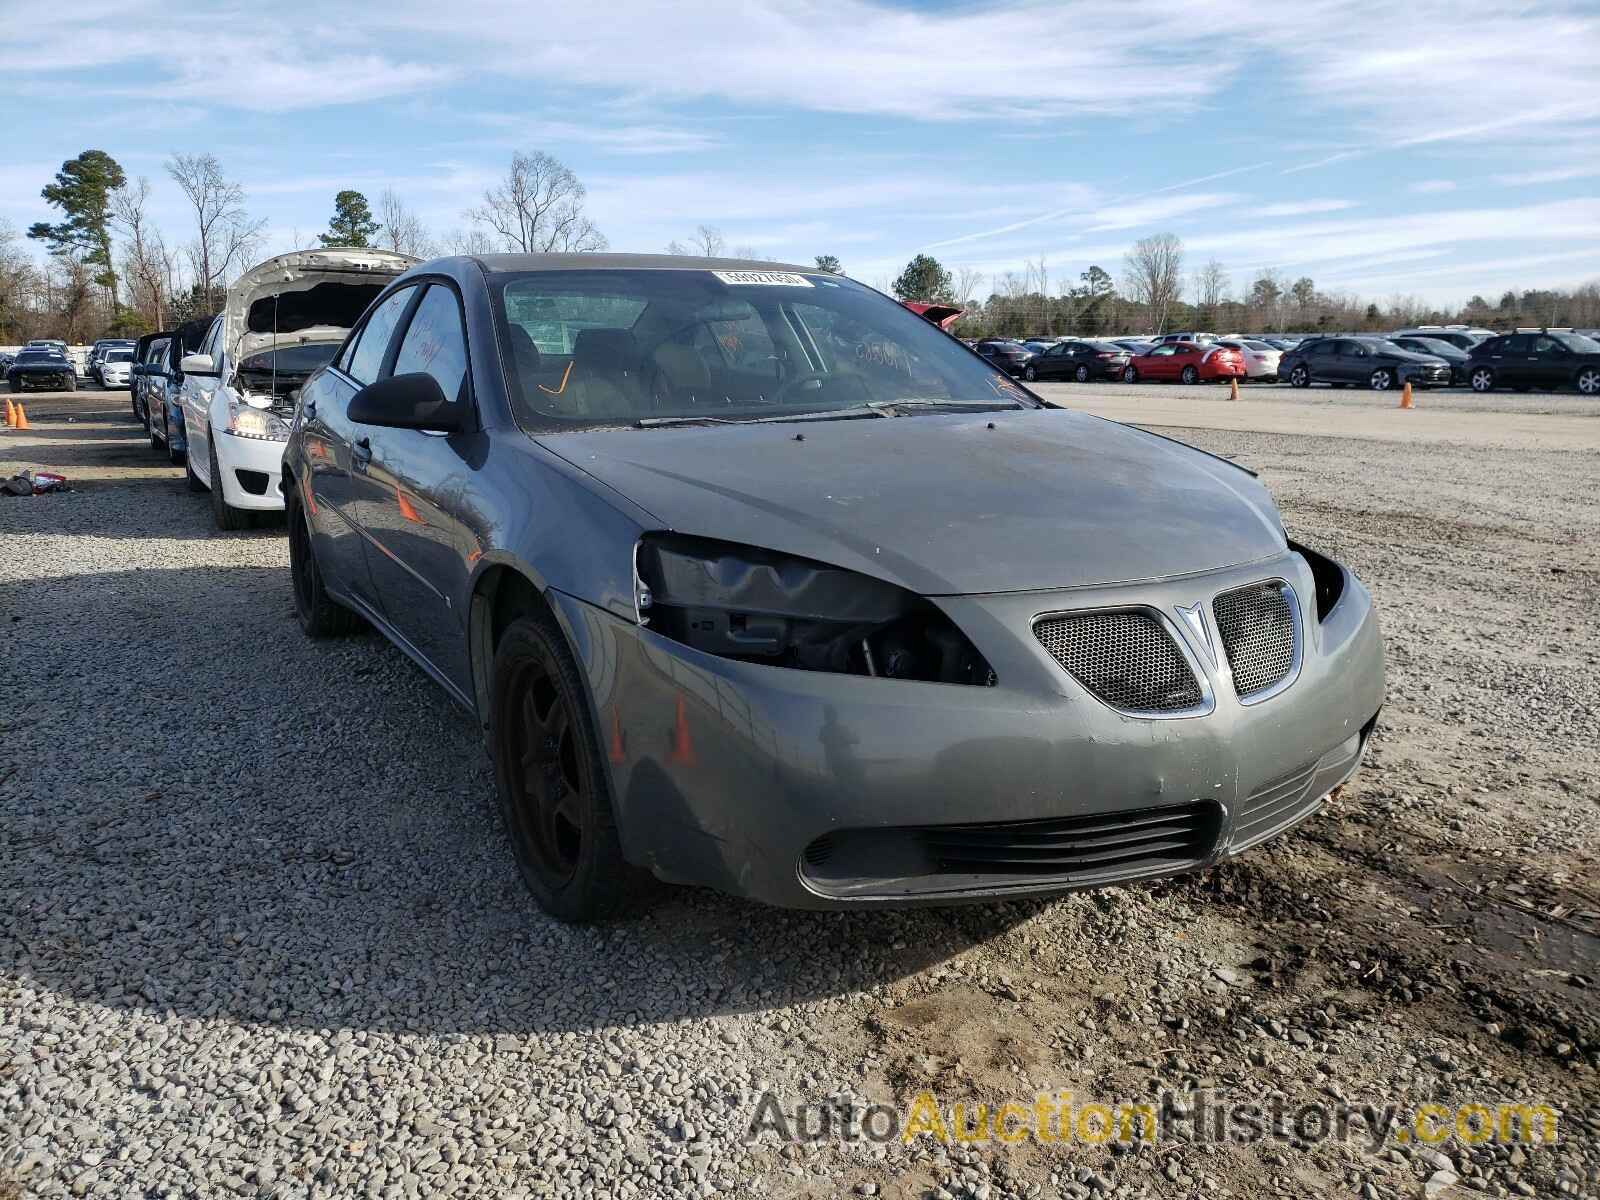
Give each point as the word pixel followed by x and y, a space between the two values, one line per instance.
pixel 551 778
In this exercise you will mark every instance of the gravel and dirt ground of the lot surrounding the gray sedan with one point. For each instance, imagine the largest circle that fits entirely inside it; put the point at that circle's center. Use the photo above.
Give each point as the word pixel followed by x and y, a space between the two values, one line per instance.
pixel 262 937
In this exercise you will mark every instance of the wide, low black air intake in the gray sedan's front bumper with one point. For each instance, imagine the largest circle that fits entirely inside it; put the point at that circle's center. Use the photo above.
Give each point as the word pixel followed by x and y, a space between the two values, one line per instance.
pixel 1057 852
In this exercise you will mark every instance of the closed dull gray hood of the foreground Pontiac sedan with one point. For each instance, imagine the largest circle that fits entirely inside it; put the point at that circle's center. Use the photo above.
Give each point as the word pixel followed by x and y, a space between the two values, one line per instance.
pixel 946 505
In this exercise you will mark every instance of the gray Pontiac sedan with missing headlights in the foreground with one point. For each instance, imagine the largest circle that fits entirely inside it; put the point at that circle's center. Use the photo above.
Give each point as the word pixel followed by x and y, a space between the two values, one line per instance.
pixel 756 580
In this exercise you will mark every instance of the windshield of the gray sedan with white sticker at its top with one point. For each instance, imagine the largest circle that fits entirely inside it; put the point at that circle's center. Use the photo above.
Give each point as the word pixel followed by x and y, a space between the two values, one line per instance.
pixel 662 345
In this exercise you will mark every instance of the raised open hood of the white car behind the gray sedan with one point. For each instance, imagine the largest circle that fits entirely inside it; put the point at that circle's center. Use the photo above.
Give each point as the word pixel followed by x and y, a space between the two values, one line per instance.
pixel 305 297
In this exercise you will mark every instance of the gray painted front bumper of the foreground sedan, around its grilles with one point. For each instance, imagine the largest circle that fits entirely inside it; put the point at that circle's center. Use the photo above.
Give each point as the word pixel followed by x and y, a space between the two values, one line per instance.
pixel 807 790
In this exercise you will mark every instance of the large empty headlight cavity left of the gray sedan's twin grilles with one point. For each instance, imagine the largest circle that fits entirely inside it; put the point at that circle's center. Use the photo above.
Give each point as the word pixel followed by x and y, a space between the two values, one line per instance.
pixel 762 607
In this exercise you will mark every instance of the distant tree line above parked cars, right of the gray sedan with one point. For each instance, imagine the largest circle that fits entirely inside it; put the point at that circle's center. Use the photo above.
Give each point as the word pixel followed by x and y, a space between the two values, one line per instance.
pixel 1159 294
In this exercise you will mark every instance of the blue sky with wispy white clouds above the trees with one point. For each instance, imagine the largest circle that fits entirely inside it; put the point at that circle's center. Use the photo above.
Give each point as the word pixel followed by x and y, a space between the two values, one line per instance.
pixel 1439 151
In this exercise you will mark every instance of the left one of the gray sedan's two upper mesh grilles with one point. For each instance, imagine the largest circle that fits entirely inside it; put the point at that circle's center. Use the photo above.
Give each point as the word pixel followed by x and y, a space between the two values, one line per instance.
pixel 1127 658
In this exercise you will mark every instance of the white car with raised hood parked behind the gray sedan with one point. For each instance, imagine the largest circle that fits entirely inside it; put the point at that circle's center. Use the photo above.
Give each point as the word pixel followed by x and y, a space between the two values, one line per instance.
pixel 281 321
